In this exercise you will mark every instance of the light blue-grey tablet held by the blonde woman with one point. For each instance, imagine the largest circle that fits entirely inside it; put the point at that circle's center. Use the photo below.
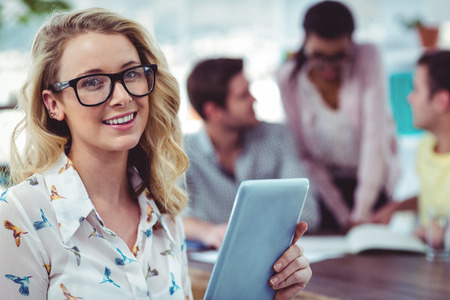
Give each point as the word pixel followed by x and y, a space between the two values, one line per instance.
pixel 261 228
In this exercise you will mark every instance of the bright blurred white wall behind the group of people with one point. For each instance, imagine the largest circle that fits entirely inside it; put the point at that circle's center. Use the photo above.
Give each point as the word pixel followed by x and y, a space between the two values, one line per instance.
pixel 258 30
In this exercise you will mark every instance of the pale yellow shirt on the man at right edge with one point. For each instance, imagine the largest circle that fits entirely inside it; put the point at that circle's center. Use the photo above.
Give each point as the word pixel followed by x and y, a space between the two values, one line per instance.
pixel 434 172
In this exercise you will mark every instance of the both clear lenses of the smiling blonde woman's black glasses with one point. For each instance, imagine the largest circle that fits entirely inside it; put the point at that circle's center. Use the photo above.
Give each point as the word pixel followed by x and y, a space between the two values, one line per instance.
pixel 94 89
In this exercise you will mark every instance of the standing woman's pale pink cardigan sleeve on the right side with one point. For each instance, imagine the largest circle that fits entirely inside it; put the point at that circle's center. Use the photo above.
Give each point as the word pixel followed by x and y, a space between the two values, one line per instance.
pixel 376 133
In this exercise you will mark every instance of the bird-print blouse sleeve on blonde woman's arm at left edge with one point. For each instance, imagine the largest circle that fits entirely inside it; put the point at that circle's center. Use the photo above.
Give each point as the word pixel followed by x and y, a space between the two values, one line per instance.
pixel 23 263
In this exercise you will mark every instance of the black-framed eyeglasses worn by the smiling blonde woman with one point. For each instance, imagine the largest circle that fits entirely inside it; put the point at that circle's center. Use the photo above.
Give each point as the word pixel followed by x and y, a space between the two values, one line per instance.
pixel 95 89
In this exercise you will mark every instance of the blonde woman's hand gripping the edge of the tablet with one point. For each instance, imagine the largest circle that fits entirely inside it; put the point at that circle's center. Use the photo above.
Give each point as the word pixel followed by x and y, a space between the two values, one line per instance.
pixel 292 269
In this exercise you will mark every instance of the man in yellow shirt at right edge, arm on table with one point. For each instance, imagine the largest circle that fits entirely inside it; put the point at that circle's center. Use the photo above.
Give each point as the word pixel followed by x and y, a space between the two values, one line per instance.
pixel 430 104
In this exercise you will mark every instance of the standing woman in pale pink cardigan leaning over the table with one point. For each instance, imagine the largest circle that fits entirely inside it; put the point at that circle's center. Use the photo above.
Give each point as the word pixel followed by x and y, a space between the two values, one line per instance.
pixel 333 92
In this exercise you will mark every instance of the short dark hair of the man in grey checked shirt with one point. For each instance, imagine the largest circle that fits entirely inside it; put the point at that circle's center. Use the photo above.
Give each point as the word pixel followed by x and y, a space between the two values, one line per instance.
pixel 209 81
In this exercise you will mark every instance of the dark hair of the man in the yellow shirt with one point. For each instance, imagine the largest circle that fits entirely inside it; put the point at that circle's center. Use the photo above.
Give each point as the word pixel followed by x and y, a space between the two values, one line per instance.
pixel 438 65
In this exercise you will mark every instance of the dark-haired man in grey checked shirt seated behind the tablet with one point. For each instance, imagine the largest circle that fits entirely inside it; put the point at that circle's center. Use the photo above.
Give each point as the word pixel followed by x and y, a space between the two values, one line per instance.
pixel 231 147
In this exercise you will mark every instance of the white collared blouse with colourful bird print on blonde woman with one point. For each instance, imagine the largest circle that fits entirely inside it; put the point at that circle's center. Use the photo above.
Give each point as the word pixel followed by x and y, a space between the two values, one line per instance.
pixel 54 245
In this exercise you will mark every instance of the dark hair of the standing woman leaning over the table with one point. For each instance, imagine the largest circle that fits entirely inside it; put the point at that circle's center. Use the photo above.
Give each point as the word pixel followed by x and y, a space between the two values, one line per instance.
pixel 327 19
